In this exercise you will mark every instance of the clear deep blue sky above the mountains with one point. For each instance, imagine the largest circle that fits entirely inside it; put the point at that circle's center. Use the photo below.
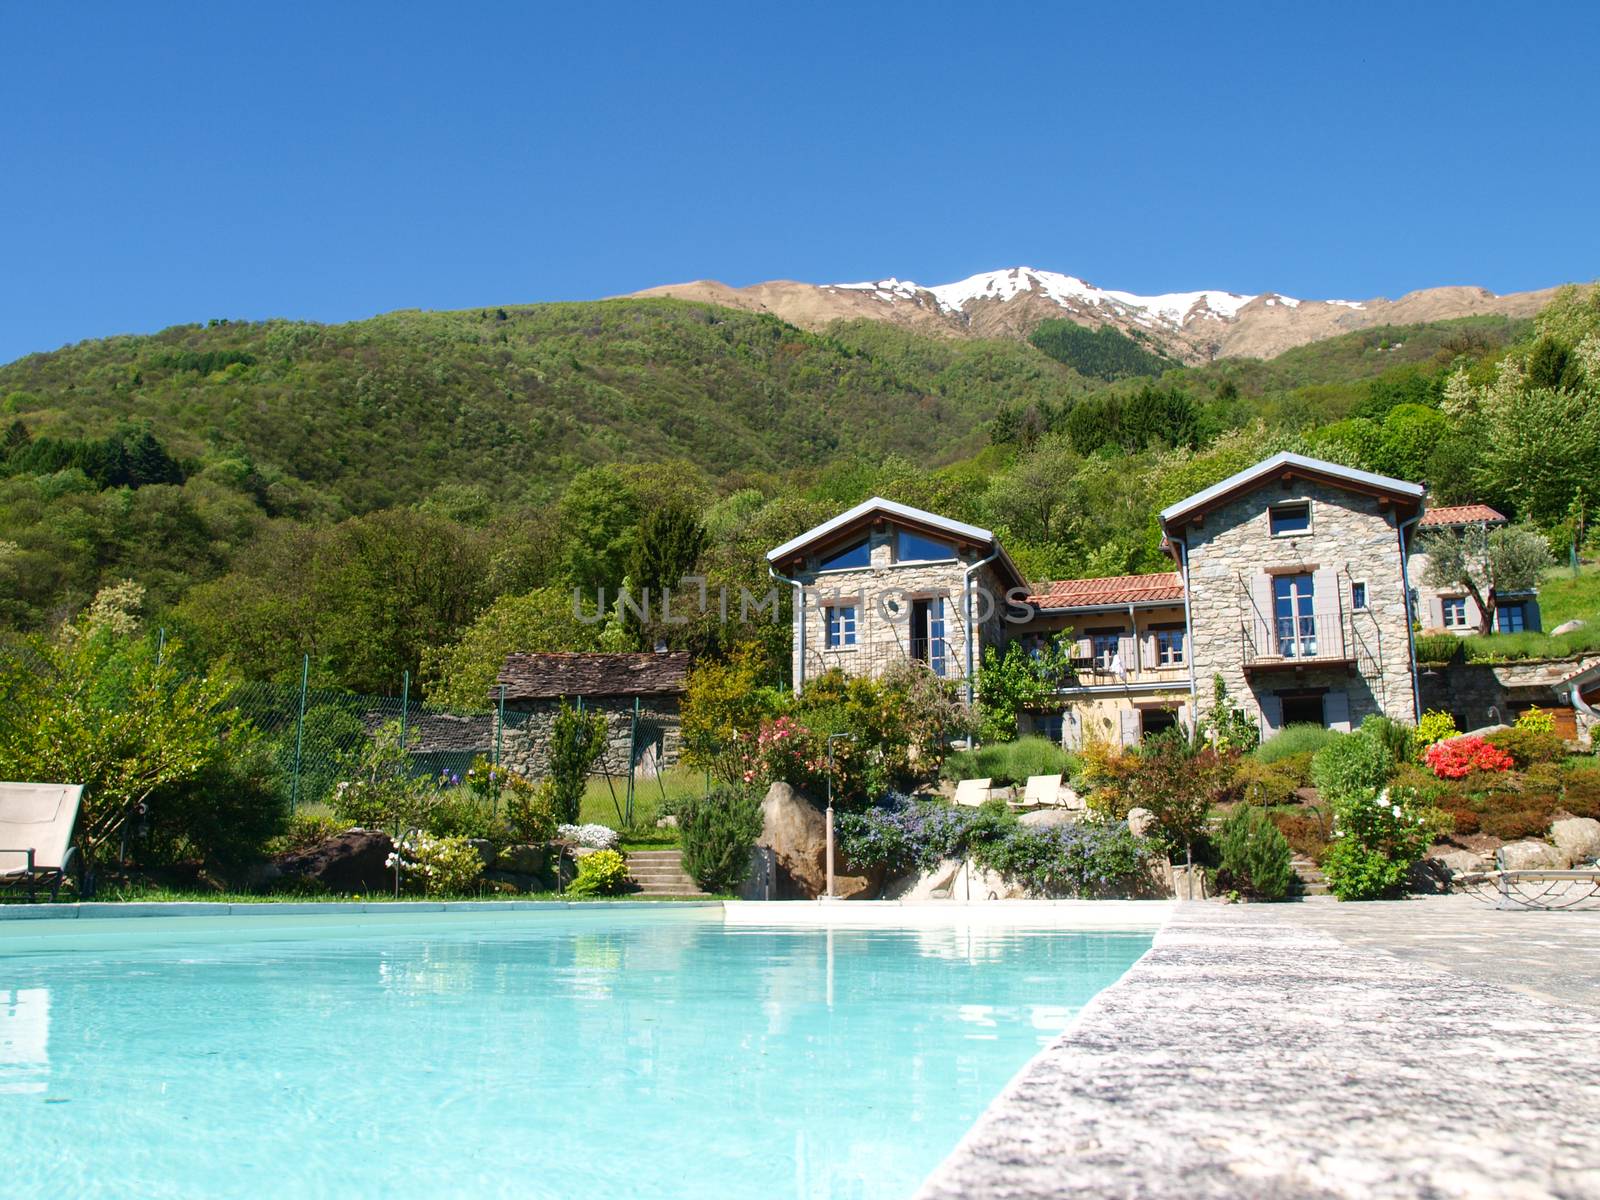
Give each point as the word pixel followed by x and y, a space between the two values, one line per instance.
pixel 164 164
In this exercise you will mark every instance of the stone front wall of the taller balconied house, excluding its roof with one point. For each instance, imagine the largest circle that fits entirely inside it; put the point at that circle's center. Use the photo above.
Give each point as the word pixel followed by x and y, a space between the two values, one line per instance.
pixel 1361 658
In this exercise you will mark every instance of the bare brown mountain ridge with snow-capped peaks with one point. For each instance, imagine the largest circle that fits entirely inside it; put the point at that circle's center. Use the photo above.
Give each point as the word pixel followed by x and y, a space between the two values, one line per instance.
pixel 1193 327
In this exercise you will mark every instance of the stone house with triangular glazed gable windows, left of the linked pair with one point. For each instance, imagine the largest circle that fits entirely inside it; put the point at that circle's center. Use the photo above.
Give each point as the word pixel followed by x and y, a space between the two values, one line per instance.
pixel 886 583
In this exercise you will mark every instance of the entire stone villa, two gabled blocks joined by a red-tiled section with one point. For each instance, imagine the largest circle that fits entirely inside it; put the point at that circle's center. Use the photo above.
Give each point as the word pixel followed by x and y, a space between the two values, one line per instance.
pixel 1292 585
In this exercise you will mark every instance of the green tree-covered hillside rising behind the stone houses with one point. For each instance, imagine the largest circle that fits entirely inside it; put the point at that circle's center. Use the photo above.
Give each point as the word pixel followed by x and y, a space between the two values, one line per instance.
pixel 422 492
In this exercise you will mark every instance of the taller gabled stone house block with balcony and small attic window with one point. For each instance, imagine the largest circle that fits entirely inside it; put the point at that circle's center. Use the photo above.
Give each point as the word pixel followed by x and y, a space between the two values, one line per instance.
pixel 1297 590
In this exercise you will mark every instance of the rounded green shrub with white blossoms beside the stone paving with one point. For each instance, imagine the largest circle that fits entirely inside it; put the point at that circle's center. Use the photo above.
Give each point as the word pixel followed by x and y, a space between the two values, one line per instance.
pixel 1378 838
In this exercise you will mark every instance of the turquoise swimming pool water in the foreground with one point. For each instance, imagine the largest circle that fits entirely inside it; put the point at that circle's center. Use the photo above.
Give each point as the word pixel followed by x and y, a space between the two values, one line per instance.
pixel 583 1055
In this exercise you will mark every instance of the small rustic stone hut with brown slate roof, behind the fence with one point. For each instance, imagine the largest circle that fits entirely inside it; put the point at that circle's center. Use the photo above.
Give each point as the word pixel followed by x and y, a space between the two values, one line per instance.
pixel 639 697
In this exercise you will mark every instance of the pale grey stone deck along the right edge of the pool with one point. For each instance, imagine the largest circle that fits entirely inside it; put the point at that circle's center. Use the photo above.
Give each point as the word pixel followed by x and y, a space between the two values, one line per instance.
pixel 1420 1049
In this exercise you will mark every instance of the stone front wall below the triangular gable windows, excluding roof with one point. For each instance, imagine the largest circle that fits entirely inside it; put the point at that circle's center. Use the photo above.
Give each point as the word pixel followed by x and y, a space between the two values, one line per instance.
pixel 884 598
